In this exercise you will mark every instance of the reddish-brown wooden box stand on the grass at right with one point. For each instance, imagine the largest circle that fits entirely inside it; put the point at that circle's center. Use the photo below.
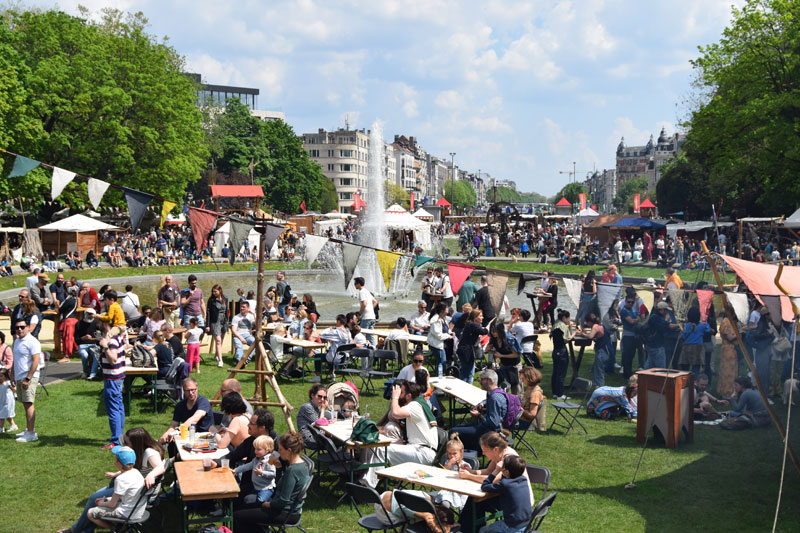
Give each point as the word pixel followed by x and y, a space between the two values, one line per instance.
pixel 665 401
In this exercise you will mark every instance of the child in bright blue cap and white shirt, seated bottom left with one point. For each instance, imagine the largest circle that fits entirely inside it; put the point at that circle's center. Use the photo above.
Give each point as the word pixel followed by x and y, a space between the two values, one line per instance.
pixel 127 486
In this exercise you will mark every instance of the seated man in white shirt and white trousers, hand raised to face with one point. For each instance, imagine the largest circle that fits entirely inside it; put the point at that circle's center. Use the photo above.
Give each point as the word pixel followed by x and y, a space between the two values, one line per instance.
pixel 422 440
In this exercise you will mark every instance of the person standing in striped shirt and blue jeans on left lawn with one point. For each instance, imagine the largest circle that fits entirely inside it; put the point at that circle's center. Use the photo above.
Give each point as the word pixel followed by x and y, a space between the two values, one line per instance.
pixel 113 364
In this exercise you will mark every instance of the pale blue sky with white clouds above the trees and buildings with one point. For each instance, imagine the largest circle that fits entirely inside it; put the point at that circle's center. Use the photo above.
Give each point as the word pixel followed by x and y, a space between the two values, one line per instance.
pixel 517 89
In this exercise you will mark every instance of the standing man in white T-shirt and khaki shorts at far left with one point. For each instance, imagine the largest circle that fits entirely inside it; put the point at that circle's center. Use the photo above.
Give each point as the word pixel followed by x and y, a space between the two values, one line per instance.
pixel 27 362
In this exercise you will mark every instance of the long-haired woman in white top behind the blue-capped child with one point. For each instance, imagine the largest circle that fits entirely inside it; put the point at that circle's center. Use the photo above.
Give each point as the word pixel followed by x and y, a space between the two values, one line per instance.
pixel 149 461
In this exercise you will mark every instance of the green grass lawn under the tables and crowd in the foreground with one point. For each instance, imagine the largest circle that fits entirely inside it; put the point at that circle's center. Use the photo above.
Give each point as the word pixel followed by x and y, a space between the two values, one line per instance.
pixel 724 481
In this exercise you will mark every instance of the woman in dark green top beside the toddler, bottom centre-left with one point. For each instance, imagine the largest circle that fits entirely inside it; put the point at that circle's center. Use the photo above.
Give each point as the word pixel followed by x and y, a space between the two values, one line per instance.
pixel 286 504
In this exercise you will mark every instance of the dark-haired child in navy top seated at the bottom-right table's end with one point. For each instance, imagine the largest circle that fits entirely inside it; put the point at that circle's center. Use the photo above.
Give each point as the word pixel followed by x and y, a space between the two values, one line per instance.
pixel 515 499
